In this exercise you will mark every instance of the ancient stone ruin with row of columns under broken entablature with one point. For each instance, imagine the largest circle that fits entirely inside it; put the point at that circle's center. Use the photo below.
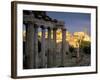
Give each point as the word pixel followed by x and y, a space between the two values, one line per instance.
pixel 38 19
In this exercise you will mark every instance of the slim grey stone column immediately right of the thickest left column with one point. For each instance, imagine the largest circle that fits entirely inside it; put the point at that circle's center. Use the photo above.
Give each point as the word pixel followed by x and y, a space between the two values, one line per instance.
pixel 36 46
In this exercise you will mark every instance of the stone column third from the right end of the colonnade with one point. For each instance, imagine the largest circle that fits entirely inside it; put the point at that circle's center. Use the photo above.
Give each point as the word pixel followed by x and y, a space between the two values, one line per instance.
pixel 49 54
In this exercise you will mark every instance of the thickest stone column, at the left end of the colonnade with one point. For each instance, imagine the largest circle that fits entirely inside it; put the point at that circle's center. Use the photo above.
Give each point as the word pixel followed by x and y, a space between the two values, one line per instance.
pixel 29 46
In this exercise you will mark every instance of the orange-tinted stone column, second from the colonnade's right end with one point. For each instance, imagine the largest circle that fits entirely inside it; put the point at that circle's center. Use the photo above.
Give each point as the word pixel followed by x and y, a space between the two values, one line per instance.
pixel 54 46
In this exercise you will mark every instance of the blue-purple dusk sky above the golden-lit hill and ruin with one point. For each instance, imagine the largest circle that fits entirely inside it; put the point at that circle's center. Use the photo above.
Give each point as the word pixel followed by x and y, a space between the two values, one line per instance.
pixel 74 22
